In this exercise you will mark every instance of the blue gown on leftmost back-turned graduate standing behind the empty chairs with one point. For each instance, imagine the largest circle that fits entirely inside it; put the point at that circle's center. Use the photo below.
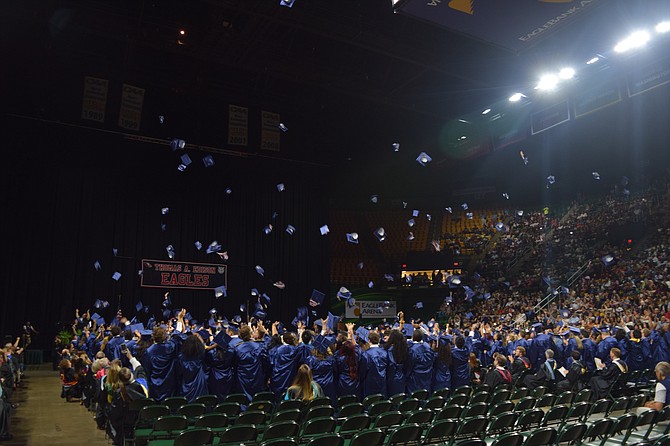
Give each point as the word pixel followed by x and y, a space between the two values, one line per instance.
pixel 159 363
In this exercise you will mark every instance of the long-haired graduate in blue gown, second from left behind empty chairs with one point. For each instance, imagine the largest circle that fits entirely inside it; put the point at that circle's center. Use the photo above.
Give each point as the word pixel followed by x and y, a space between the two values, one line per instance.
pixel 190 368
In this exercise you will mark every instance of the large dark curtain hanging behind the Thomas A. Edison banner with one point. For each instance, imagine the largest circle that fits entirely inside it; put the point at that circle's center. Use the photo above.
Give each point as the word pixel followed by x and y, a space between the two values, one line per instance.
pixel 70 195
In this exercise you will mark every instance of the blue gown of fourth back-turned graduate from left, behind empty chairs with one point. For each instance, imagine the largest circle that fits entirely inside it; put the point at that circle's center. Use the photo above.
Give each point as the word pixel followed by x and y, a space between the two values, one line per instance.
pixel 251 365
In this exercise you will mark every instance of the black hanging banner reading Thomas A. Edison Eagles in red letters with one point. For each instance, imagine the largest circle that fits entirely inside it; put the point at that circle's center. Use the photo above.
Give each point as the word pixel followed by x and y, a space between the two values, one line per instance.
pixel 184 275
